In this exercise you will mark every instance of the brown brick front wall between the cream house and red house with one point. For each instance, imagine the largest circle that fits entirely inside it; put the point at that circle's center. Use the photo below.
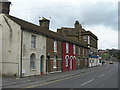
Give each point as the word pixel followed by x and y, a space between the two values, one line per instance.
pixel 50 52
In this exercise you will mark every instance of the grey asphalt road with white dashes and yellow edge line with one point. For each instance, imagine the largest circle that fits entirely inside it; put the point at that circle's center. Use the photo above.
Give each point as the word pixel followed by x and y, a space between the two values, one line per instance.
pixel 106 77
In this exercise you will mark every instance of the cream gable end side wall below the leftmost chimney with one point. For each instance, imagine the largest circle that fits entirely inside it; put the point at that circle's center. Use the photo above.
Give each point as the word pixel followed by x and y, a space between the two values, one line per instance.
pixel 11 38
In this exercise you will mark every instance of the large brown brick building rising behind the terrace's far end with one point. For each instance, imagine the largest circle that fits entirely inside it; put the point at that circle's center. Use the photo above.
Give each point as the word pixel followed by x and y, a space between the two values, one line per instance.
pixel 87 38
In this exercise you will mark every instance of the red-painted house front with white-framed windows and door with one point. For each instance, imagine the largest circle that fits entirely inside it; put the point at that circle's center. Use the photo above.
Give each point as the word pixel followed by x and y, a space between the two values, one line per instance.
pixel 69 56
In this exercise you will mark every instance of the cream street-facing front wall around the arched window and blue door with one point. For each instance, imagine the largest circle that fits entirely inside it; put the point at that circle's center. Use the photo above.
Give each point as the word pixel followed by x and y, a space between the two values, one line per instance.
pixel 38 51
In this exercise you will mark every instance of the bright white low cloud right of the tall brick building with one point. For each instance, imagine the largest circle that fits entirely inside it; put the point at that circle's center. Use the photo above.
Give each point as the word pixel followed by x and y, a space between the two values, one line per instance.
pixel 108 38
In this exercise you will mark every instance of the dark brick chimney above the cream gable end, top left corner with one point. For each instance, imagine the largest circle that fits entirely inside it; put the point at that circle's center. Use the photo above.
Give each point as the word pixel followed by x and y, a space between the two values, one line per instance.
pixel 5 6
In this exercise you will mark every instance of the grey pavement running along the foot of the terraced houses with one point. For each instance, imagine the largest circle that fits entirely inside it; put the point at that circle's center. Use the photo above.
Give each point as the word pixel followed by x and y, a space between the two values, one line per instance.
pixel 46 78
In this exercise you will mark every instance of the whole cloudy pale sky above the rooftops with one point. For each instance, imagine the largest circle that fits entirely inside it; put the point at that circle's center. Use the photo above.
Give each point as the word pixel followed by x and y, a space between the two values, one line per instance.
pixel 98 16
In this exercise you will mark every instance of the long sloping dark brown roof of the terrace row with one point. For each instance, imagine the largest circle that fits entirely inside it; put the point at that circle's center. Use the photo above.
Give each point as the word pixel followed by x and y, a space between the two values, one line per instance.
pixel 39 30
